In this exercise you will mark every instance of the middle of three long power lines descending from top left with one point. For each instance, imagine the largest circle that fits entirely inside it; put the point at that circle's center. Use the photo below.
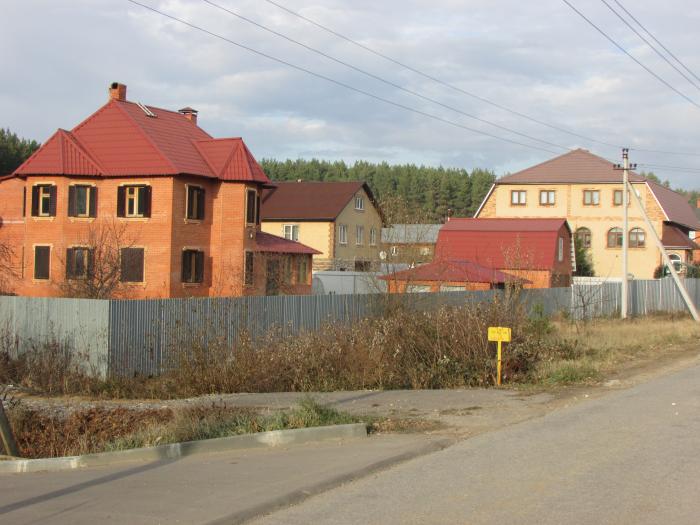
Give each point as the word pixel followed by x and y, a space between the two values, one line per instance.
pixel 379 78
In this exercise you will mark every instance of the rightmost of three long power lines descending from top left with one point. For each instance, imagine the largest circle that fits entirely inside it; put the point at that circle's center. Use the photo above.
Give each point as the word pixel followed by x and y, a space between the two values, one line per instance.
pixel 438 80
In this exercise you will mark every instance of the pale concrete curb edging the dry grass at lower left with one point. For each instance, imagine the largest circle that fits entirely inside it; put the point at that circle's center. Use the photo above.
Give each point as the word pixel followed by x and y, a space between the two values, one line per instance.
pixel 272 438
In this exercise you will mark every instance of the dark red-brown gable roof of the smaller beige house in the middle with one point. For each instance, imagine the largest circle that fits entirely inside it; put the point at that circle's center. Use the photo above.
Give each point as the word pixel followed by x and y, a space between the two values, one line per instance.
pixel 310 201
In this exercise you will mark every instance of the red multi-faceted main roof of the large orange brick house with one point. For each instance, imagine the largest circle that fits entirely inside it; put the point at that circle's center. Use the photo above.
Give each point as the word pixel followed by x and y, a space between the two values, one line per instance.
pixel 120 139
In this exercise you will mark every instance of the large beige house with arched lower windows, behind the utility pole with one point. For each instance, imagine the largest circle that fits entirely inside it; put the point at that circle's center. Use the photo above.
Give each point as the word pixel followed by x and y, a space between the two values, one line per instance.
pixel 587 190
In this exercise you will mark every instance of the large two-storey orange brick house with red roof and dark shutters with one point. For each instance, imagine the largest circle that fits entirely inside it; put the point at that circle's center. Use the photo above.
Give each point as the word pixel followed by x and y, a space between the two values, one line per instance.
pixel 183 208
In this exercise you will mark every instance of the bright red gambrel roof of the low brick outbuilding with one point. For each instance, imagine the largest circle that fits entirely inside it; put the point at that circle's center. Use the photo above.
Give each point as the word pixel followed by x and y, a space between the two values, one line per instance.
pixel 502 243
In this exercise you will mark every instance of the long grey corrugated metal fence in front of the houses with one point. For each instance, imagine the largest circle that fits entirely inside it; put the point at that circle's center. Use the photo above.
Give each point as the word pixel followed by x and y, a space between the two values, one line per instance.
pixel 139 336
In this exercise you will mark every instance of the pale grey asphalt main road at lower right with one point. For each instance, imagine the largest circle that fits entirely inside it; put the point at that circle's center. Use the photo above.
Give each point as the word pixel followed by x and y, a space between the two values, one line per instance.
pixel 630 457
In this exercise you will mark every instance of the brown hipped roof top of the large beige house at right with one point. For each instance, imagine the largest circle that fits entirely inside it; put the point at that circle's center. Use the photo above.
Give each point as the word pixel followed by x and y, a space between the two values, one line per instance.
pixel 576 166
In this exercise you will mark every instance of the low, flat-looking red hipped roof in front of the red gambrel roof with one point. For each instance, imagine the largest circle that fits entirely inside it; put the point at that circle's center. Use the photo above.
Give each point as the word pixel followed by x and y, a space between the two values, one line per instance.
pixel 453 271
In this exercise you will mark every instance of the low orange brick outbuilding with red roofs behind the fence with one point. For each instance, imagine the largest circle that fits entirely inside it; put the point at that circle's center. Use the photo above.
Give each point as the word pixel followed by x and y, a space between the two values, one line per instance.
pixel 480 254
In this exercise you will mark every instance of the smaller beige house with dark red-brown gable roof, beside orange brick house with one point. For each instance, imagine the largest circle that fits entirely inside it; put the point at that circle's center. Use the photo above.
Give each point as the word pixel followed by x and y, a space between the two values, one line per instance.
pixel 339 219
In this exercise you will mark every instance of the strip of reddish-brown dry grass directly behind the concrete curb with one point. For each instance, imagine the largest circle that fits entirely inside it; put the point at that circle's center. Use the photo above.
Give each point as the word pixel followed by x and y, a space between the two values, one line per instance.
pixel 40 434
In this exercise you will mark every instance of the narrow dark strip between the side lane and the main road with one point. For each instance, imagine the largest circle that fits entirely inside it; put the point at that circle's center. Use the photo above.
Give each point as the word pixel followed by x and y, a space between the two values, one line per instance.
pixel 300 495
